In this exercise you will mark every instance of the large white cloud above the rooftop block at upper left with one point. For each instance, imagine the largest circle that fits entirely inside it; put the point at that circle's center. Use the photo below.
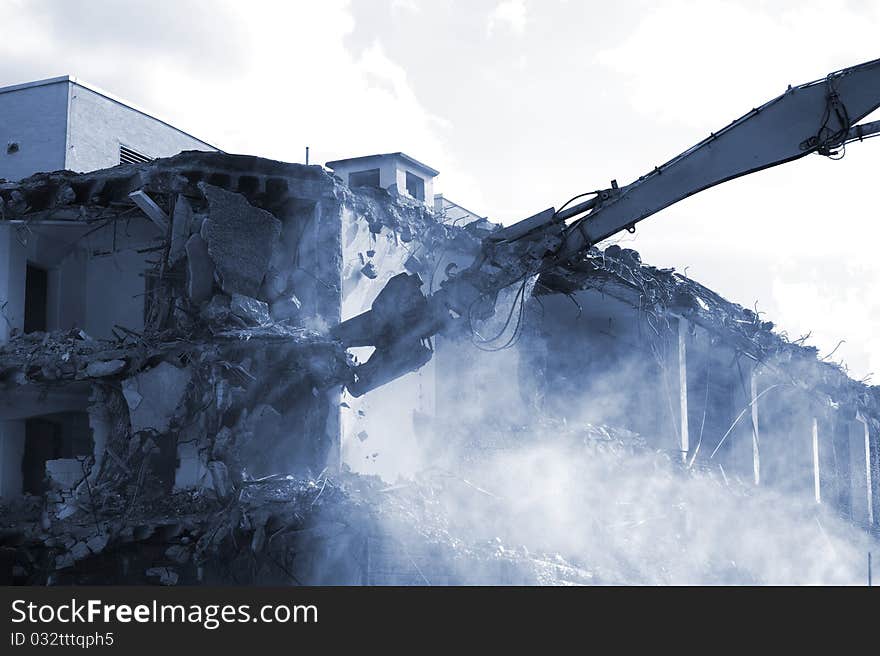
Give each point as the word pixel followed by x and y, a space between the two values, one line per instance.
pixel 264 78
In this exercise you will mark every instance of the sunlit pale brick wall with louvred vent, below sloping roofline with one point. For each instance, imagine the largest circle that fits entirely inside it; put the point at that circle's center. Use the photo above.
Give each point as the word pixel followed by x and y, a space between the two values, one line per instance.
pixel 98 125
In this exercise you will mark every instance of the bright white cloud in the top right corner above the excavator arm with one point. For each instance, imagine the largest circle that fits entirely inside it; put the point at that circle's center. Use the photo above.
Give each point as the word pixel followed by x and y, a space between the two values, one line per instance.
pixel 704 62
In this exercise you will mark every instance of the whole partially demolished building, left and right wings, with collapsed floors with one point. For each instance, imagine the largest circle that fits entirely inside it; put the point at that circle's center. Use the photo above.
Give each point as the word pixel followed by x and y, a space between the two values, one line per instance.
pixel 172 408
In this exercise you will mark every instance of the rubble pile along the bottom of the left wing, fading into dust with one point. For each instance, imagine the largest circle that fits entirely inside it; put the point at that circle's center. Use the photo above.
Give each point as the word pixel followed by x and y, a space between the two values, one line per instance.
pixel 275 530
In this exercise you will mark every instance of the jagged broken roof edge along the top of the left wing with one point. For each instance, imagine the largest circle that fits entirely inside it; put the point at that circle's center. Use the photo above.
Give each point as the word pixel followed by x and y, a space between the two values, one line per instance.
pixel 69 196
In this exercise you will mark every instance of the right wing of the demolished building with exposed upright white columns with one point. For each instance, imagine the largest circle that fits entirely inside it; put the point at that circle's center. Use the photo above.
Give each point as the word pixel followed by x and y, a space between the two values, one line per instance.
pixel 736 396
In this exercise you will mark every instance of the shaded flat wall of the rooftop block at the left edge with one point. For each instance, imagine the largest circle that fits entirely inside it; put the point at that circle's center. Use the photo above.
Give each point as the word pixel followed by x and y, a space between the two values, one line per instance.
pixel 35 118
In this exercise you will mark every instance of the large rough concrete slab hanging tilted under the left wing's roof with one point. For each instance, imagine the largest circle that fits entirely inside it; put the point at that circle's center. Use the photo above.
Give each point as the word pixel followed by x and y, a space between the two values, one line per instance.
pixel 240 238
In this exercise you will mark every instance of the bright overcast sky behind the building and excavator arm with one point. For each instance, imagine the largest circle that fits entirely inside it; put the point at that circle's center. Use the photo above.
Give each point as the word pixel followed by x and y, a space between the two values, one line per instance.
pixel 520 104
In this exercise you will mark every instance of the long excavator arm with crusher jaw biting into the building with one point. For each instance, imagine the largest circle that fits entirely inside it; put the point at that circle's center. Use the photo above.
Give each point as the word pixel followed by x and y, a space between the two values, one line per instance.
pixel 818 117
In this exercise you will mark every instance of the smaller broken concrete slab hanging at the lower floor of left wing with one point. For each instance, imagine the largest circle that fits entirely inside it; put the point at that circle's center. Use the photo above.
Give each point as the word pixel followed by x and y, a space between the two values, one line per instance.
pixel 153 396
